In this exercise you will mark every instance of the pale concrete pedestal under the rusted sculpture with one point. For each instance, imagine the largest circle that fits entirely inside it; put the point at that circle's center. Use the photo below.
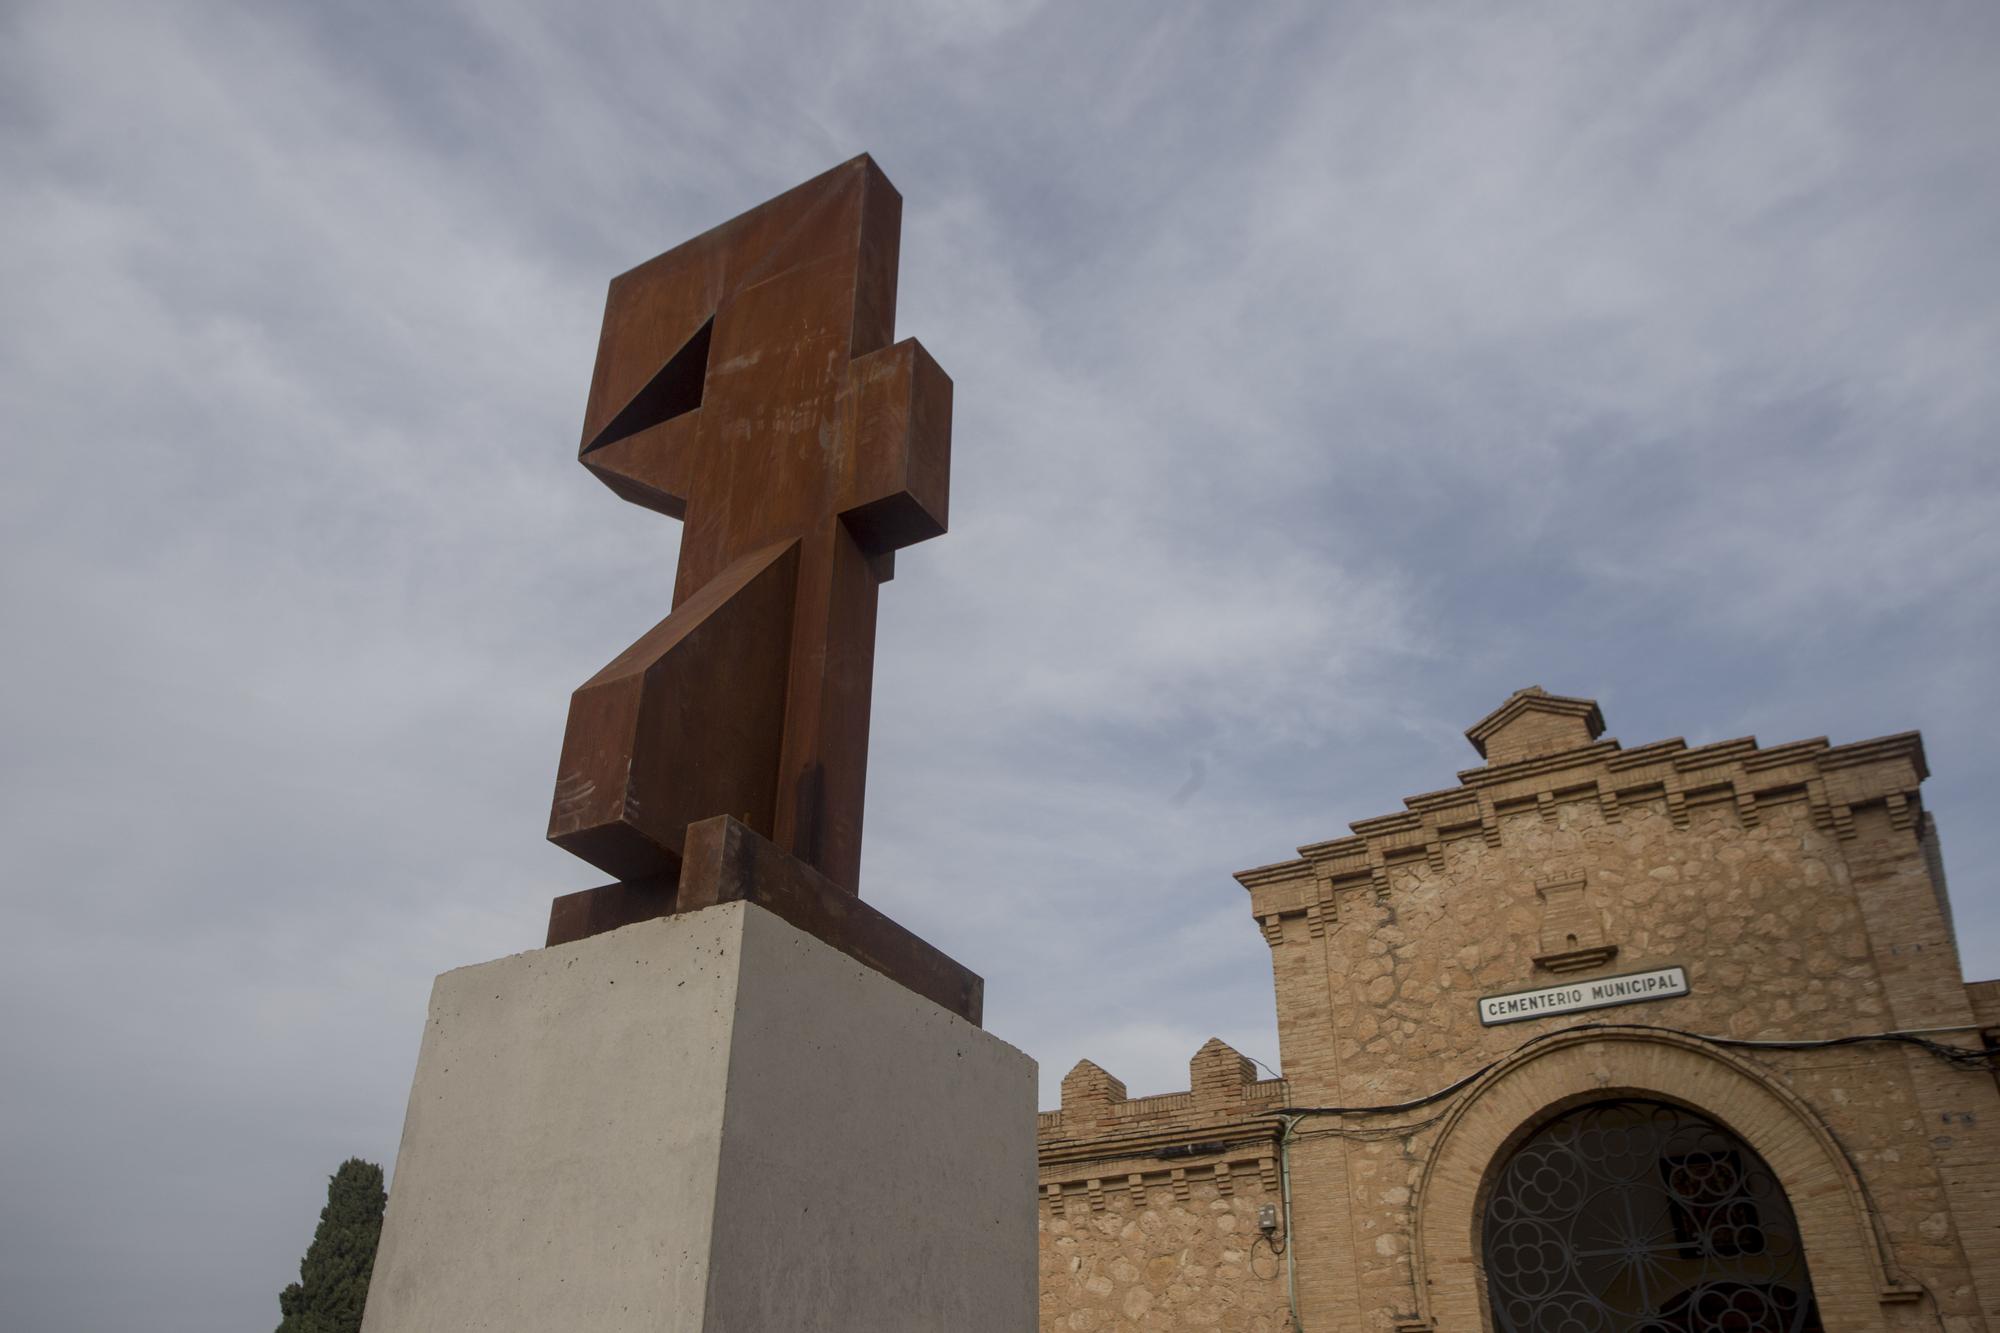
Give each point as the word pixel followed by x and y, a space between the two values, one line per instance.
pixel 707 1124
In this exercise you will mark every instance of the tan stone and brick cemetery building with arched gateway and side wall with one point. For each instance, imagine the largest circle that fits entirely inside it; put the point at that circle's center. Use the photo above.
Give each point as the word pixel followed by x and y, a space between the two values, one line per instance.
pixel 1663 1038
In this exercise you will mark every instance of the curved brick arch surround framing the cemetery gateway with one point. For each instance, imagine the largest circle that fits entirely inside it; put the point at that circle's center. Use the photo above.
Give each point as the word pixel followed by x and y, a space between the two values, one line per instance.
pixel 1835 1222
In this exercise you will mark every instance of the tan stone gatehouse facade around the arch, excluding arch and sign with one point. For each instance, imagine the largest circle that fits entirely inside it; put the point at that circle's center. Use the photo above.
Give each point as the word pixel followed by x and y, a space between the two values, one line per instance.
pixel 1793 888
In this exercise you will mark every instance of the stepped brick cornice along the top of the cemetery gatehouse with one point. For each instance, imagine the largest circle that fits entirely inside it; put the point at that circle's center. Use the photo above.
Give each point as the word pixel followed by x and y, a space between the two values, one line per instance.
pixel 1549 752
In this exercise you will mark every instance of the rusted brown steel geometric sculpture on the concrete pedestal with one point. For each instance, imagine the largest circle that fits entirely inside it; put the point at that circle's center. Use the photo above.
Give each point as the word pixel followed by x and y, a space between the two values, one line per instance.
pixel 747 385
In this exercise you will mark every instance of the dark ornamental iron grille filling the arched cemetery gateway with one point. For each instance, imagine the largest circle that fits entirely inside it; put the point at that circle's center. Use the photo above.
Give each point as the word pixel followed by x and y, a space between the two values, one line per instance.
pixel 1643 1218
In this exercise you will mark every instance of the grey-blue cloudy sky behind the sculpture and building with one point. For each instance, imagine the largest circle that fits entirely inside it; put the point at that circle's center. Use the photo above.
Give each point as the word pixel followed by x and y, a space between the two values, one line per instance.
pixel 1323 377
